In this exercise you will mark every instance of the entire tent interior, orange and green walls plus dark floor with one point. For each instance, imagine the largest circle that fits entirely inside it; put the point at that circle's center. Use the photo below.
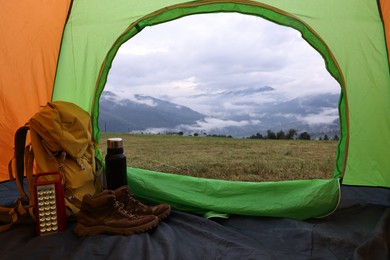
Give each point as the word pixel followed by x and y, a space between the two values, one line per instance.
pixel 63 50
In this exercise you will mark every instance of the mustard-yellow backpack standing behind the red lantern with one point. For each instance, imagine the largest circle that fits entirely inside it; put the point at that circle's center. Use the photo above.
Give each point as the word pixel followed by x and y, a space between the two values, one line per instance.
pixel 61 140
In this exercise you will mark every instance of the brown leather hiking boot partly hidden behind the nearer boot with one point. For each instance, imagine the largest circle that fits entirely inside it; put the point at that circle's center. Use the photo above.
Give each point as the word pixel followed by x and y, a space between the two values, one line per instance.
pixel 135 207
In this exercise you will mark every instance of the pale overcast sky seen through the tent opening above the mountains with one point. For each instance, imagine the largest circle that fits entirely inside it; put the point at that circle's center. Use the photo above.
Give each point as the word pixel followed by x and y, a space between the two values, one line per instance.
pixel 203 55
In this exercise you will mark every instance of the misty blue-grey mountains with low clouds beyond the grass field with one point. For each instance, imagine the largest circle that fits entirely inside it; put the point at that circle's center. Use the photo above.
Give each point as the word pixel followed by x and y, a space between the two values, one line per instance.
pixel 248 116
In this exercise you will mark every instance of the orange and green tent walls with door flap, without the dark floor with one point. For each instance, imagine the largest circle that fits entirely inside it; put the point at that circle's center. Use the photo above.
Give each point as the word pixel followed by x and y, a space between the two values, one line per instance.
pixel 63 50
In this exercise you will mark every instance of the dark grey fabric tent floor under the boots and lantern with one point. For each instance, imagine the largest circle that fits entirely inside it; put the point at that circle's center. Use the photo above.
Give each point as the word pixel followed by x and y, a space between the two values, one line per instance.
pixel 356 230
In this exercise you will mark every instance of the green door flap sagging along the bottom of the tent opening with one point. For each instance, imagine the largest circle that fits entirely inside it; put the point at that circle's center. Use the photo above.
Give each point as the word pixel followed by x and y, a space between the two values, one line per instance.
pixel 208 197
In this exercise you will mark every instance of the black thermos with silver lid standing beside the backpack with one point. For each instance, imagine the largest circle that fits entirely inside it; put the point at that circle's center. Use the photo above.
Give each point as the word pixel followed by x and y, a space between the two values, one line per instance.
pixel 116 169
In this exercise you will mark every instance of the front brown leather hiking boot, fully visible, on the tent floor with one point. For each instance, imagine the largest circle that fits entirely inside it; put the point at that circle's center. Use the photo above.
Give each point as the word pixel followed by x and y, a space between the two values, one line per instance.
pixel 103 214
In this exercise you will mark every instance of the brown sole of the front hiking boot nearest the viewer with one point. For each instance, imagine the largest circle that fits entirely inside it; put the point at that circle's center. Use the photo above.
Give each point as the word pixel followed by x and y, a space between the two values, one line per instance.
pixel 83 231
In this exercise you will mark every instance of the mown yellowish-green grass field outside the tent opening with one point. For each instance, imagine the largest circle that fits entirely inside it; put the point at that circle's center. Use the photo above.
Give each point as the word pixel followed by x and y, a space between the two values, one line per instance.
pixel 228 158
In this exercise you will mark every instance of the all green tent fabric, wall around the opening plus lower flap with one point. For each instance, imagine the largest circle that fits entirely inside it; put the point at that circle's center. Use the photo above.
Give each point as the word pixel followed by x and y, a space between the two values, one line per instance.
pixel 348 34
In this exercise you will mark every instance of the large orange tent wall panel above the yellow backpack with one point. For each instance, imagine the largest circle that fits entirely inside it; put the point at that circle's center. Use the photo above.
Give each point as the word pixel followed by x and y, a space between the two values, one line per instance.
pixel 31 36
